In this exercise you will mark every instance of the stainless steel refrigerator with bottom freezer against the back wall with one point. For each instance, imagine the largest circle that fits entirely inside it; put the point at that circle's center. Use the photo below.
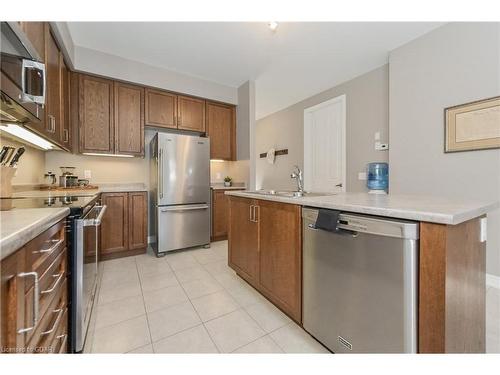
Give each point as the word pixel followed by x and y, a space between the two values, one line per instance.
pixel 180 191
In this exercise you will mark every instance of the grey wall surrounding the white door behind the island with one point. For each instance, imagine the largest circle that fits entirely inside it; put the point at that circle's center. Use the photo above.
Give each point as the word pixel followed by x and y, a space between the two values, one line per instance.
pixel 367 113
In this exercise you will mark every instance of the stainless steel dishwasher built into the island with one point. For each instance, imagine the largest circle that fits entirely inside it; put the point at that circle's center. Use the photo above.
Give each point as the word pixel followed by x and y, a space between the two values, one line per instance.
pixel 360 283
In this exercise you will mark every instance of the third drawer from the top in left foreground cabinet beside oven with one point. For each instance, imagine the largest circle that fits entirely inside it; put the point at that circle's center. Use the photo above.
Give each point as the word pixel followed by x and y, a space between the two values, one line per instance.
pixel 49 324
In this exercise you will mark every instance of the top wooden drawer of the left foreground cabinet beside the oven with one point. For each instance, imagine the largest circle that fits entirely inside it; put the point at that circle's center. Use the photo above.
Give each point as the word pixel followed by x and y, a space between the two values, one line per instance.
pixel 42 250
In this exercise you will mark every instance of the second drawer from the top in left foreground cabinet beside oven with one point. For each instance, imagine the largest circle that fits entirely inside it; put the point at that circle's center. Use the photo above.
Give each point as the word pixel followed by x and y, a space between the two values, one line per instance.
pixel 50 285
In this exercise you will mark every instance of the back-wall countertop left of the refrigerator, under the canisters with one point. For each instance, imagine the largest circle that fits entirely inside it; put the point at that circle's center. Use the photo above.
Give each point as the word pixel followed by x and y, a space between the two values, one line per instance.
pixel 102 188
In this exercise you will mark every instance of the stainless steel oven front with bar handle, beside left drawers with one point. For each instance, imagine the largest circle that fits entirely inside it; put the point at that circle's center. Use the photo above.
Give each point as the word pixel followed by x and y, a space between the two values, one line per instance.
pixel 85 271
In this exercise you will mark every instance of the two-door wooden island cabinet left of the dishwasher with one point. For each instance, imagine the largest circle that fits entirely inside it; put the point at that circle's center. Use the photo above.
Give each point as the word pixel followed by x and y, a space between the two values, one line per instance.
pixel 265 248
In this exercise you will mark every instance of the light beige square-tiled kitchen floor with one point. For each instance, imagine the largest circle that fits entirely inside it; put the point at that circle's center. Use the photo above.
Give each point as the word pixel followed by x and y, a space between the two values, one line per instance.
pixel 192 302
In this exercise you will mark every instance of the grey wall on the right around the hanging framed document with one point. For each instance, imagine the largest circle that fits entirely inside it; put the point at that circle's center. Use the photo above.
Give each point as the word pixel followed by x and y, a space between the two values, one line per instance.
pixel 454 64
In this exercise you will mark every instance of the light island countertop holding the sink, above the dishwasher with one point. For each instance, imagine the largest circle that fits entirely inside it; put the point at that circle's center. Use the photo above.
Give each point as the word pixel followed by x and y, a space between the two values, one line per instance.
pixel 411 207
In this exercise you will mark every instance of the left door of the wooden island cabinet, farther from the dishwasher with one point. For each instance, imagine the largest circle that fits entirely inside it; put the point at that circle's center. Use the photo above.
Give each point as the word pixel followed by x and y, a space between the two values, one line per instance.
pixel 243 239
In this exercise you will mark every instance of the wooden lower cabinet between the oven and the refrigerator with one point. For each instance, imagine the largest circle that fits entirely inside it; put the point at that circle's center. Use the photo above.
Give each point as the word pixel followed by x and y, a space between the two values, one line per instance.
pixel 124 225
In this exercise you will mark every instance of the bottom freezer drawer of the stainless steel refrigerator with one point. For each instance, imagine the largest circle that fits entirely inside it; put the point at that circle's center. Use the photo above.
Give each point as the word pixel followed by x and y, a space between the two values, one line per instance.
pixel 182 226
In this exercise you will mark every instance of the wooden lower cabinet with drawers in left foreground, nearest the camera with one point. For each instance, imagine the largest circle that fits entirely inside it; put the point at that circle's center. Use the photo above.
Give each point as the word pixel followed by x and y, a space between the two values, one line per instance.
pixel 45 257
